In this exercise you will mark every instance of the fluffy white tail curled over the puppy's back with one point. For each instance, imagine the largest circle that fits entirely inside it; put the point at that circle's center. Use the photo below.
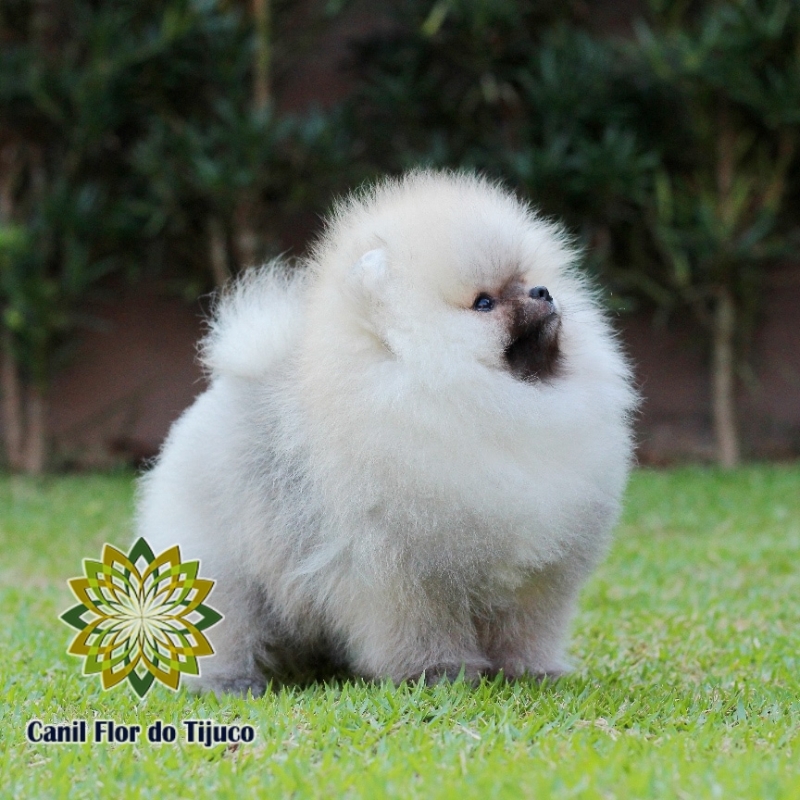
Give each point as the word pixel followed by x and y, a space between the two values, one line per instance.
pixel 255 321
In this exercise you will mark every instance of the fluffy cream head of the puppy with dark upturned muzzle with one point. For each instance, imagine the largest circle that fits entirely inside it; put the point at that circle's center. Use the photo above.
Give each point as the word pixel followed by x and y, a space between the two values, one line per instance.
pixel 441 267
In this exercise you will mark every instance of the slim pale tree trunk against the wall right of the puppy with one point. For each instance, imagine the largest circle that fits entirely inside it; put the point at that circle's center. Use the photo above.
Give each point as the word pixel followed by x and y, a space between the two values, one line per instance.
pixel 724 383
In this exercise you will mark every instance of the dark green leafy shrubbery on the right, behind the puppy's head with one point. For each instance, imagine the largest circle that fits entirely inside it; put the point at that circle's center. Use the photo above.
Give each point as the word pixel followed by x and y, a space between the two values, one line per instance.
pixel 673 155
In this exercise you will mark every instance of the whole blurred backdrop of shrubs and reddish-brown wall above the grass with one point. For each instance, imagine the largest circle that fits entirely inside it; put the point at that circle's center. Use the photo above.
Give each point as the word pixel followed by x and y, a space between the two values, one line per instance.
pixel 151 150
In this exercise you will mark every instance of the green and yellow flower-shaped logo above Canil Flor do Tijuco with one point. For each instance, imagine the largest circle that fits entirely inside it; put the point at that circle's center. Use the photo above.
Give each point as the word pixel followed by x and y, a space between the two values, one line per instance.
pixel 140 617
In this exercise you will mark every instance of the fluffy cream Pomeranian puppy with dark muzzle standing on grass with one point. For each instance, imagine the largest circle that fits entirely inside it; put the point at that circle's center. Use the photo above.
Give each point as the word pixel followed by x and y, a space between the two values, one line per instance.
pixel 412 449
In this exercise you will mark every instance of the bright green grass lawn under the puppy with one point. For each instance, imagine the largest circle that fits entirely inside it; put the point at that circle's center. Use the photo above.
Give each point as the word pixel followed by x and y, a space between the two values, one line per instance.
pixel 687 686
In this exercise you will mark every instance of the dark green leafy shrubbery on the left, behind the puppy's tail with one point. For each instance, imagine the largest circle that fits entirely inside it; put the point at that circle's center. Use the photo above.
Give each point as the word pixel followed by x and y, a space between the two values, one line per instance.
pixel 130 143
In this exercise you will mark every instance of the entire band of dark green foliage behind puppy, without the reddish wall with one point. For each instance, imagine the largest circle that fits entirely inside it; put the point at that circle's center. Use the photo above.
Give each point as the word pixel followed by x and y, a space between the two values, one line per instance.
pixel 142 139
